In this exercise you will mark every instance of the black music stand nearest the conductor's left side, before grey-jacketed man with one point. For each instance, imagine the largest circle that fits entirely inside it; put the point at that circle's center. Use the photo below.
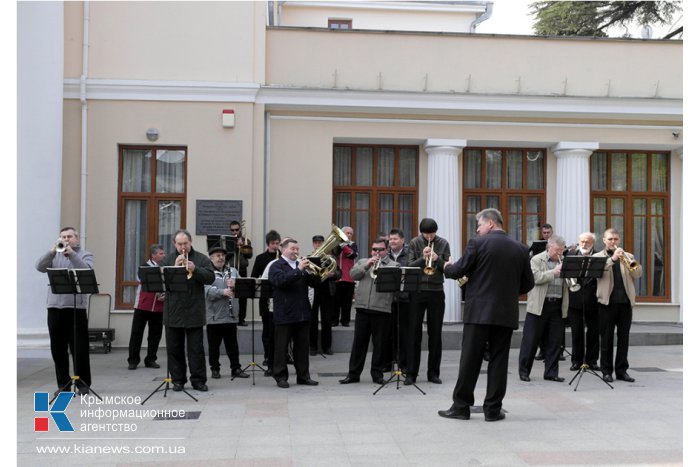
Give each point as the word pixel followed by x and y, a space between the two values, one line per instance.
pixel 406 279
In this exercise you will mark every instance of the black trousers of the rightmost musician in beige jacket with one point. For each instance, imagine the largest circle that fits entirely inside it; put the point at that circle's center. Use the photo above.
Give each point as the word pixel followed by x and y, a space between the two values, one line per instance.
pixel 614 316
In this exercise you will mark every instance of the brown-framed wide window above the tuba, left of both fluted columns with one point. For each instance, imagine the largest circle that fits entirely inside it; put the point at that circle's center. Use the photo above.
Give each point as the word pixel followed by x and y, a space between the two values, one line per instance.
pixel 375 190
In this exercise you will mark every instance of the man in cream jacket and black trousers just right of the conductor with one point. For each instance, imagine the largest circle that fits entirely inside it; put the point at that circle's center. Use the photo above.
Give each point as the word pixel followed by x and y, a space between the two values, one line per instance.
pixel 547 305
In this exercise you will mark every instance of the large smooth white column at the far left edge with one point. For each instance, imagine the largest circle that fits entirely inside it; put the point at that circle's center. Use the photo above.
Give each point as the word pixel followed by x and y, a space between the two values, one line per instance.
pixel 39 161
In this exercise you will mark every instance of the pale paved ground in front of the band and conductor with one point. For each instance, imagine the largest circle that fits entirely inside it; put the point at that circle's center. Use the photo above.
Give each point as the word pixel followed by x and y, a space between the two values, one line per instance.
pixel 242 424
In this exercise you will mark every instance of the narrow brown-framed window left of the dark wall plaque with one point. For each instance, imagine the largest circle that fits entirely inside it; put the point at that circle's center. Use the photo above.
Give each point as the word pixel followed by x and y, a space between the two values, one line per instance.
pixel 152 198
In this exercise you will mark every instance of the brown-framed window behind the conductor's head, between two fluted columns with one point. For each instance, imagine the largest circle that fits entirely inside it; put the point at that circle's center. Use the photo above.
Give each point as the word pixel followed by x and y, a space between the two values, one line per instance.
pixel 510 180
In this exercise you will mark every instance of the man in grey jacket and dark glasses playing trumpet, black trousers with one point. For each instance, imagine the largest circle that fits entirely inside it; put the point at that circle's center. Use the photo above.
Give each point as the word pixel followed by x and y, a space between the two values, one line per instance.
pixel 372 315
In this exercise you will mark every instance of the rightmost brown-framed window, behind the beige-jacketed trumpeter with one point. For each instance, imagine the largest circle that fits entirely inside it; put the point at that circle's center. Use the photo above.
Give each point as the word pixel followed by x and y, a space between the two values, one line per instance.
pixel 629 191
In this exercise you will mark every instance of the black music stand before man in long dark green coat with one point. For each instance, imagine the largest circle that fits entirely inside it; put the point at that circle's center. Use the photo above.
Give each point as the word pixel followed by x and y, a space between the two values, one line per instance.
pixel 160 280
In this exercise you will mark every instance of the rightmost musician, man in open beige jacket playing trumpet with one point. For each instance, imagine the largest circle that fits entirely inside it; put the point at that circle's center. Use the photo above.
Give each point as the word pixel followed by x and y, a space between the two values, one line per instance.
pixel 616 297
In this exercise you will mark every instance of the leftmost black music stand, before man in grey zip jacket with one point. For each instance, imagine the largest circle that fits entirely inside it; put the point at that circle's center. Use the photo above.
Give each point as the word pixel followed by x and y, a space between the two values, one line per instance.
pixel 73 281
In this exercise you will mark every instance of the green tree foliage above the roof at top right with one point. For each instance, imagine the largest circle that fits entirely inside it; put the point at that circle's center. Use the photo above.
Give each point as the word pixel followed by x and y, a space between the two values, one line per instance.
pixel 582 18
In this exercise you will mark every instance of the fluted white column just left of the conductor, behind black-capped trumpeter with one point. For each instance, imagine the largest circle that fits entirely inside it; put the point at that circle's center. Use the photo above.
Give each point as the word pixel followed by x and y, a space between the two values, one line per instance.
pixel 443 199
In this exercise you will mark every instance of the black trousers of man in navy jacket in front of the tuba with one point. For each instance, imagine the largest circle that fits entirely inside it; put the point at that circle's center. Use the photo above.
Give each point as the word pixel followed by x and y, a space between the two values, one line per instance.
pixel 298 333
